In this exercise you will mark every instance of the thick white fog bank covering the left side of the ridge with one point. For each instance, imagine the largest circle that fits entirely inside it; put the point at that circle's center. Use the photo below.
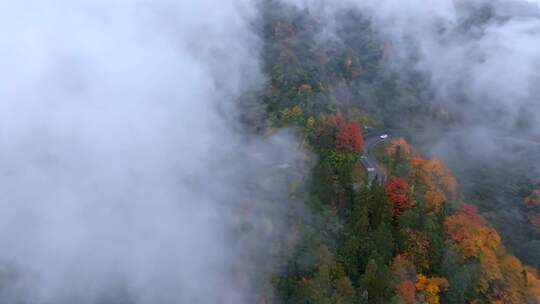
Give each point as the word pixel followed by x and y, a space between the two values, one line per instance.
pixel 120 162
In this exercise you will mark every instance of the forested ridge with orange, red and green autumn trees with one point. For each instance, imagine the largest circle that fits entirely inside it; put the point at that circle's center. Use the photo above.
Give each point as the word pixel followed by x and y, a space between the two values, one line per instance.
pixel 413 238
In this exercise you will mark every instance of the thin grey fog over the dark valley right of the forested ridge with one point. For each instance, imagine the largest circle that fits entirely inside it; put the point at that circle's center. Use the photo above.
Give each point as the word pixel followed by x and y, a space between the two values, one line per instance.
pixel 481 66
